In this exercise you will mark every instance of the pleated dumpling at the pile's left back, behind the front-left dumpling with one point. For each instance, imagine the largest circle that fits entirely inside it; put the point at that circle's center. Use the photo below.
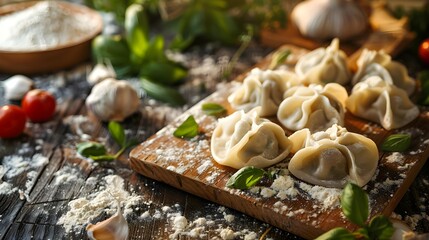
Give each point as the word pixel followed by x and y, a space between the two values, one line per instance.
pixel 264 89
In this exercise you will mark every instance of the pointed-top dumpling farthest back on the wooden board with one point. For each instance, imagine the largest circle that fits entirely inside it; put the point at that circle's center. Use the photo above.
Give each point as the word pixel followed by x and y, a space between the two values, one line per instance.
pixel 324 65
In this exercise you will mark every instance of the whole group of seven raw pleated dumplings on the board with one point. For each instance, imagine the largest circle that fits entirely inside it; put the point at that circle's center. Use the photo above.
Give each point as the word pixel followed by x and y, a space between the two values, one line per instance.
pixel 312 102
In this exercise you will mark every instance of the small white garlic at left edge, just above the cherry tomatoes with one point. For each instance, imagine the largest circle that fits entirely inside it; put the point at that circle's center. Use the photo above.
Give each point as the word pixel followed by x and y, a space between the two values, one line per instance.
pixel 17 86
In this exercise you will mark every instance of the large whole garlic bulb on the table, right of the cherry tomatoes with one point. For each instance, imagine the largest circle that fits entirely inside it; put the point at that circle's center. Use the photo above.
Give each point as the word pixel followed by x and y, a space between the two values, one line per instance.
pixel 113 100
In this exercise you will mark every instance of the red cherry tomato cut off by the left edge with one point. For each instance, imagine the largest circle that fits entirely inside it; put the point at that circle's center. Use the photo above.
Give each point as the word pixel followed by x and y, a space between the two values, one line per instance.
pixel 12 121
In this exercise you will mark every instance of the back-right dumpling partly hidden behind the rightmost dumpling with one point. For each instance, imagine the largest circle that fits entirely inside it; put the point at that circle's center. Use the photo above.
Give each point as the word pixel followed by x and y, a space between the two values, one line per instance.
pixel 378 63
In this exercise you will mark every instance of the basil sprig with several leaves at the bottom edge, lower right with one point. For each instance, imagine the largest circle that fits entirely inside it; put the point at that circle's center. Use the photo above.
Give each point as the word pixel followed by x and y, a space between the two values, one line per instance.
pixel 355 206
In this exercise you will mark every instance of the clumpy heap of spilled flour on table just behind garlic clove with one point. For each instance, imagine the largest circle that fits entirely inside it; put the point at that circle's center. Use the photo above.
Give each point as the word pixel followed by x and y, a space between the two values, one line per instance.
pixel 83 210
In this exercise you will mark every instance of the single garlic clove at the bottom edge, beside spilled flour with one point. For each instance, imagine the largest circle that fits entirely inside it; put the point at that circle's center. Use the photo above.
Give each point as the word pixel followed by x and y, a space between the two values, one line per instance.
pixel 113 228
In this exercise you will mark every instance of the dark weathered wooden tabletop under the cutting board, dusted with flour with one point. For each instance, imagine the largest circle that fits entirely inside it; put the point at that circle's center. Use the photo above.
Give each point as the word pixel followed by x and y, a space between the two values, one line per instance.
pixel 36 215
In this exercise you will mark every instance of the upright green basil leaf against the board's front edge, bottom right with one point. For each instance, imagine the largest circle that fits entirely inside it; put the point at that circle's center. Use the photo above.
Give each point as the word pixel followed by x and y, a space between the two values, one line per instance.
pixel 354 203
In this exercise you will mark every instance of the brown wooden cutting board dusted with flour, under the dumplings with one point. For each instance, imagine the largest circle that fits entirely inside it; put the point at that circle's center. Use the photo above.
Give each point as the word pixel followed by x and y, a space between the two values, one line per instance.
pixel 187 164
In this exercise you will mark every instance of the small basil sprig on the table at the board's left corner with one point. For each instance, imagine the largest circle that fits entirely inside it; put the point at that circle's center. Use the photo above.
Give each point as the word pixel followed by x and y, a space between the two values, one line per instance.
pixel 97 151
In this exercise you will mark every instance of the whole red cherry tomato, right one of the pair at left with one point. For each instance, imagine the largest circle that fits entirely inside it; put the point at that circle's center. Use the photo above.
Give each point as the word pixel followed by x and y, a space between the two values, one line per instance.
pixel 39 105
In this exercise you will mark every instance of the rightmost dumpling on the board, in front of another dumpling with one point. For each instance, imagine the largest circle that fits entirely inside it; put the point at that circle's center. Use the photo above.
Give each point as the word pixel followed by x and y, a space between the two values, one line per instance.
pixel 376 100
